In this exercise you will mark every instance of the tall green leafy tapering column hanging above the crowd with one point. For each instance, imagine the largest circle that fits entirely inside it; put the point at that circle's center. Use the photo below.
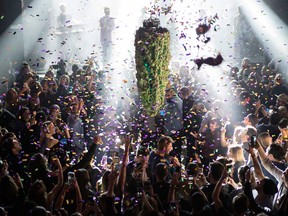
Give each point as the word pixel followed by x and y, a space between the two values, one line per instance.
pixel 152 59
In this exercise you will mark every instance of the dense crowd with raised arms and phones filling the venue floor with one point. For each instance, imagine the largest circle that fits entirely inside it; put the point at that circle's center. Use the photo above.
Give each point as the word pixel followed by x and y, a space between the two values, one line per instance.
pixel 65 151
